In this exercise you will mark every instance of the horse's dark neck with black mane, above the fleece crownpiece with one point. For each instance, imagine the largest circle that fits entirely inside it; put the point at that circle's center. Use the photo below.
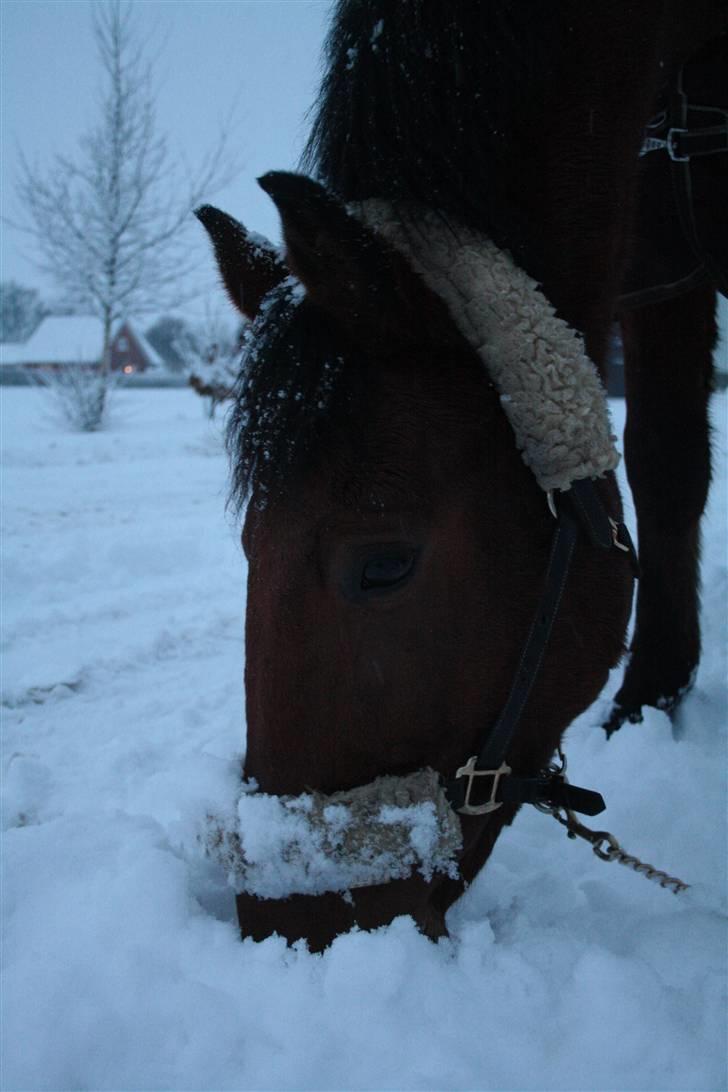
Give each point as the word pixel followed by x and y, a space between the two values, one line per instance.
pixel 533 143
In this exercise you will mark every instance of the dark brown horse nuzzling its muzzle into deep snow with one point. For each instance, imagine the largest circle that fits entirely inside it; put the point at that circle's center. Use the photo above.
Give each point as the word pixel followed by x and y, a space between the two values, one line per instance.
pixel 420 437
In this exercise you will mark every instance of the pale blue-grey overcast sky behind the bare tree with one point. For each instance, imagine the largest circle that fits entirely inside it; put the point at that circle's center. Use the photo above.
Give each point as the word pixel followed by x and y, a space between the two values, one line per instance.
pixel 260 56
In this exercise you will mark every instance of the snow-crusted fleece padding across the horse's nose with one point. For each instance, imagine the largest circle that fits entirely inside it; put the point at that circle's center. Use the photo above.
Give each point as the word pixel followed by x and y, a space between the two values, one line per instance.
pixel 275 847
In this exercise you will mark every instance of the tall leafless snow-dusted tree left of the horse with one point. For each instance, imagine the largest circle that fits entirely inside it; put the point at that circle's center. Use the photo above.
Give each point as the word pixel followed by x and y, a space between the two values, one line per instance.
pixel 109 223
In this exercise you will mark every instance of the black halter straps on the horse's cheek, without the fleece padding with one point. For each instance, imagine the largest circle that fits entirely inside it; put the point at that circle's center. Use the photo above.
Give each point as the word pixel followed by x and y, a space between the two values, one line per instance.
pixel 578 509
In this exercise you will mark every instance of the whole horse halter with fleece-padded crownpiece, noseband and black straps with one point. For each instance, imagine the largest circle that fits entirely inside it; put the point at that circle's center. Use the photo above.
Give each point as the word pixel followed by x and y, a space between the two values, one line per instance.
pixel 556 403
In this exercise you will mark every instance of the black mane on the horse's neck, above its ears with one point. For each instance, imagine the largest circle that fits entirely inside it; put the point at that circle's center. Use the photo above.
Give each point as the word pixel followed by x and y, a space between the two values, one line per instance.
pixel 414 109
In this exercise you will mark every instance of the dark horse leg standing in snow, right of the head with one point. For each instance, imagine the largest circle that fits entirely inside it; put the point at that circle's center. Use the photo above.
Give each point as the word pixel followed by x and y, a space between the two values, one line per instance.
pixel 669 364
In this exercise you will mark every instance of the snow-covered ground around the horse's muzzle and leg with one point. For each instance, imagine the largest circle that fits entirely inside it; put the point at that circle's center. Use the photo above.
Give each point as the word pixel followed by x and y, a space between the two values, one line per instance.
pixel 123 714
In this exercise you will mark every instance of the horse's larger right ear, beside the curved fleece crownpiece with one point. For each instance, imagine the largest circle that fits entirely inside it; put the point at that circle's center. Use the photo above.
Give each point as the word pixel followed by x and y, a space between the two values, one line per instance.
pixel 345 269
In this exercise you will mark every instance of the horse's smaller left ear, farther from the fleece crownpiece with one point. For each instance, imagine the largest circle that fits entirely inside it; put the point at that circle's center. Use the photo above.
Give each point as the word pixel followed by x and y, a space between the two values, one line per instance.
pixel 249 266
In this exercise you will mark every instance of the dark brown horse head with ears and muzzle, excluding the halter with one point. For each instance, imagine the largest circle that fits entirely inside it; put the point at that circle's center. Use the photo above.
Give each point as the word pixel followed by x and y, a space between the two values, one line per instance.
pixel 397 545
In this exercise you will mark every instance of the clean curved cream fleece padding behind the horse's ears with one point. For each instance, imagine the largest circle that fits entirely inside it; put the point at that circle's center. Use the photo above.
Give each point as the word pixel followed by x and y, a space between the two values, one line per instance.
pixel 551 390
